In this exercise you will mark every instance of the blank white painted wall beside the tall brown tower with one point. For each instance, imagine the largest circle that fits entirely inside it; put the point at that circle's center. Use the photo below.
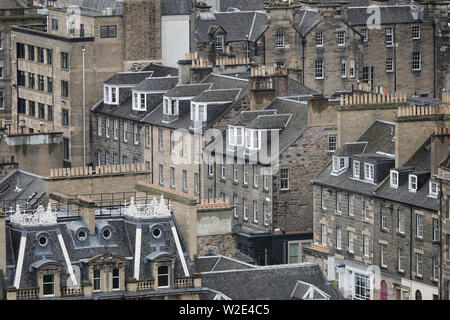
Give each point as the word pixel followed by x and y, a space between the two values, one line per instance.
pixel 175 39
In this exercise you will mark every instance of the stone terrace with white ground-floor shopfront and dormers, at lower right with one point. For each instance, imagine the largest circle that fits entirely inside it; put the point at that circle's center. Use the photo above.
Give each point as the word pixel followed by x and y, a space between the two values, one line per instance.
pixel 376 210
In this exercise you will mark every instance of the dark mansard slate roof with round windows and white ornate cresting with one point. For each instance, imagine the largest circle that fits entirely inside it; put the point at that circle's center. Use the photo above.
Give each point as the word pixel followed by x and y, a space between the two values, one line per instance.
pixel 122 243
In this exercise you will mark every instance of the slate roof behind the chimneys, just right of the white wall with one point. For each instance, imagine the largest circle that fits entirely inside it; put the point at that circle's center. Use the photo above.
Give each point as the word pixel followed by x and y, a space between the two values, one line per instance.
pixel 237 25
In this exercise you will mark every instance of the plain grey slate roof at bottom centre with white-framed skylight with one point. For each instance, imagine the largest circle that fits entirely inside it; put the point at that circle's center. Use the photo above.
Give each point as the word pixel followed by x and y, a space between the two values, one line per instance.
pixel 265 282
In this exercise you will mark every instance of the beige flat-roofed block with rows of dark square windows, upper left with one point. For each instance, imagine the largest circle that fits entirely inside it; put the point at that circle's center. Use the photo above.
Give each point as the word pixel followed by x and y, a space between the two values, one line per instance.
pixel 60 66
